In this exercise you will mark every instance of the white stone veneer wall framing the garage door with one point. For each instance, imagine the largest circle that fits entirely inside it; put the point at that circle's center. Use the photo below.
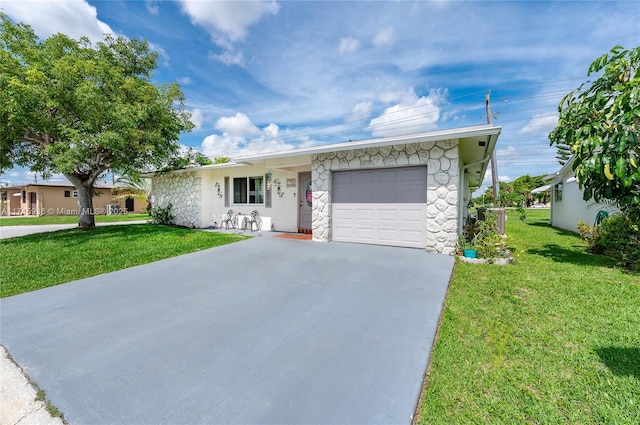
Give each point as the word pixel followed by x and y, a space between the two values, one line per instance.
pixel 441 159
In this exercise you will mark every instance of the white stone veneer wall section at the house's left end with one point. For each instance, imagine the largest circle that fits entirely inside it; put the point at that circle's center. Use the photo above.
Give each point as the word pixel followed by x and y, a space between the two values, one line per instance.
pixel 183 191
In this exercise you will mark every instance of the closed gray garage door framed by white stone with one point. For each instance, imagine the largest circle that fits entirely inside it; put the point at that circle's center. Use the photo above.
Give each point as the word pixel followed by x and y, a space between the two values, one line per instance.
pixel 384 206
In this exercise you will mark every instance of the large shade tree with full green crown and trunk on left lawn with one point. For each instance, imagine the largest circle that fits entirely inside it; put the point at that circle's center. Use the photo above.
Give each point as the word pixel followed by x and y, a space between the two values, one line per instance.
pixel 68 106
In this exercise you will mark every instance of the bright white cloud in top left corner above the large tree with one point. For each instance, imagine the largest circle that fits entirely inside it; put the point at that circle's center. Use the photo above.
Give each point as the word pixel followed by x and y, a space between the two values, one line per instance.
pixel 75 18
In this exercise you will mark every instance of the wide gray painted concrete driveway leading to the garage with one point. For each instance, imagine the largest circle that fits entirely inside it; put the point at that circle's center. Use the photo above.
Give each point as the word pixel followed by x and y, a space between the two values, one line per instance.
pixel 261 331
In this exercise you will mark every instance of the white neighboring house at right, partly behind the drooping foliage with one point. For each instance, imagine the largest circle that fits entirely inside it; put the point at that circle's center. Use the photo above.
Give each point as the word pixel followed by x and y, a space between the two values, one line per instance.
pixel 567 205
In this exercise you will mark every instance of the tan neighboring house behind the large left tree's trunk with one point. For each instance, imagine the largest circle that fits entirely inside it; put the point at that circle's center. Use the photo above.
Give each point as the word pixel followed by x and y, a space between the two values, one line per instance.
pixel 60 198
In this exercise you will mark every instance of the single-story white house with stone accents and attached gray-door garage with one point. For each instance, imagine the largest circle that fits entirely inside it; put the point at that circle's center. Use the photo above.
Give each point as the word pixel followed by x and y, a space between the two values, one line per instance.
pixel 400 191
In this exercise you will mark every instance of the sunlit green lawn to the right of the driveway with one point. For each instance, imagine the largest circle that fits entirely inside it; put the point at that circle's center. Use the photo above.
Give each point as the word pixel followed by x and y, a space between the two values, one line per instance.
pixel 554 338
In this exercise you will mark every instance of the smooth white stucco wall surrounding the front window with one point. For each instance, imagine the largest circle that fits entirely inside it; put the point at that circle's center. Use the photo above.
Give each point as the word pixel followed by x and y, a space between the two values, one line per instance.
pixel 283 211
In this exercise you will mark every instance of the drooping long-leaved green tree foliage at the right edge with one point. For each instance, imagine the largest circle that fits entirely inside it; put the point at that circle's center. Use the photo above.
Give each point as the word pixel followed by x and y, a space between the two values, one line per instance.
pixel 598 127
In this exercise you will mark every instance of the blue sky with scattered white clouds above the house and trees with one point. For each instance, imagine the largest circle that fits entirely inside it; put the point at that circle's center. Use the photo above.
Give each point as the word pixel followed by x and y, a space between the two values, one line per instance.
pixel 267 75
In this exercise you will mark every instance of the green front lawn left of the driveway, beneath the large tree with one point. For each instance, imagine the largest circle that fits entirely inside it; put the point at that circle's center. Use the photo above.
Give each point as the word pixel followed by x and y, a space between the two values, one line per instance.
pixel 41 260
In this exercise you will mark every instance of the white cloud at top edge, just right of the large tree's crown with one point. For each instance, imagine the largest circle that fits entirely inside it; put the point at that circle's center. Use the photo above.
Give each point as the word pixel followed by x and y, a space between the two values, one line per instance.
pixel 228 21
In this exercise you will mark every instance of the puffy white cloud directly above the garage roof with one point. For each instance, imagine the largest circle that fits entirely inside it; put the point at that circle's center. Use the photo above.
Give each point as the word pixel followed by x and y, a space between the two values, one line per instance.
pixel 412 115
